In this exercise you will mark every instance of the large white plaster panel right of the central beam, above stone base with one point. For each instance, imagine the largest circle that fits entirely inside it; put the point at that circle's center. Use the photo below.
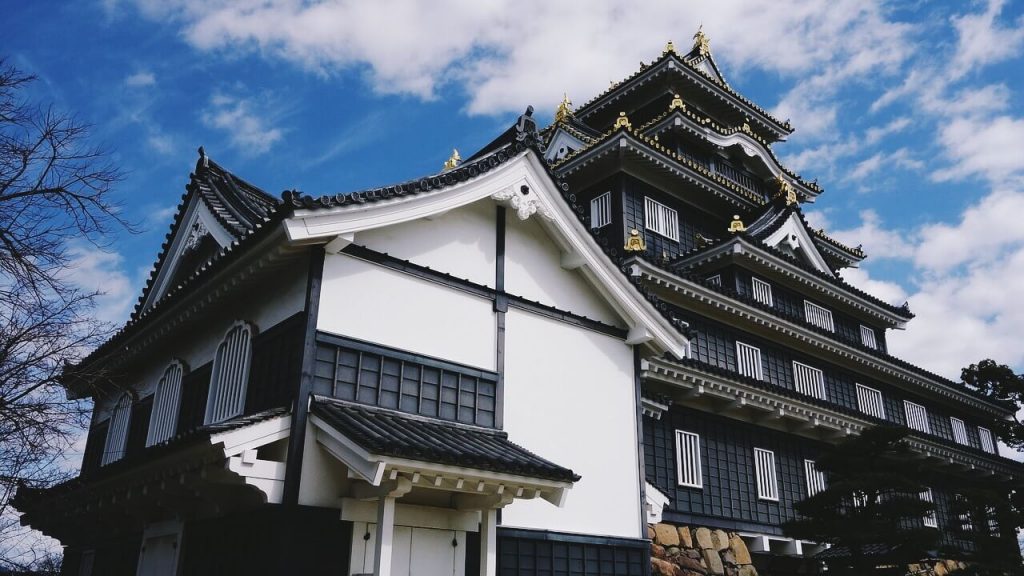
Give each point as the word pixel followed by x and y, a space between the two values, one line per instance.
pixel 570 398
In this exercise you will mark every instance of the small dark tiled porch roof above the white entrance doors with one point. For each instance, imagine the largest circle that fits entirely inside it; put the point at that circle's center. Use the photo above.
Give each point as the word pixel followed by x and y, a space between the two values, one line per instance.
pixel 387 433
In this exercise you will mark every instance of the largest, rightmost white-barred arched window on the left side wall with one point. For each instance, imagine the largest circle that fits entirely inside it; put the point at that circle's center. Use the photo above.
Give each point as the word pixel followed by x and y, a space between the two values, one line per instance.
pixel 231 374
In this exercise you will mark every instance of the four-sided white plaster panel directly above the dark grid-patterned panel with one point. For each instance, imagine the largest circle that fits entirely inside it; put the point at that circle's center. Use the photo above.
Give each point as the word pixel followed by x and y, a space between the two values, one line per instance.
pixel 370 303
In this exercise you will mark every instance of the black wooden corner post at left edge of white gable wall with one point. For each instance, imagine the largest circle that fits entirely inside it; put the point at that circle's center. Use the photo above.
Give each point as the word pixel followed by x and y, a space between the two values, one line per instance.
pixel 301 413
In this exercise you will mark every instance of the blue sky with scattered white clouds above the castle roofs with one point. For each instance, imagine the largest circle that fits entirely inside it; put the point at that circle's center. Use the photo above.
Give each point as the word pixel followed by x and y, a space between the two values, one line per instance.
pixel 910 114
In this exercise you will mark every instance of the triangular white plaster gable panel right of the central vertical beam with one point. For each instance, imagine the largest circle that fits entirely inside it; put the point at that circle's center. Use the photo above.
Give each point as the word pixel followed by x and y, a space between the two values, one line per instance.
pixel 533 270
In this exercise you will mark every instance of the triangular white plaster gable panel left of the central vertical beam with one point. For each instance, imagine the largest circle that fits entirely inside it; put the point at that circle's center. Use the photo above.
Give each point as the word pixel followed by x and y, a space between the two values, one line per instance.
pixel 460 242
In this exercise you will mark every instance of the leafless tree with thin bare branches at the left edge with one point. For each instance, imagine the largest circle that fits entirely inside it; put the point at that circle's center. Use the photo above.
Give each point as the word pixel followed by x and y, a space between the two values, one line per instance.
pixel 55 194
